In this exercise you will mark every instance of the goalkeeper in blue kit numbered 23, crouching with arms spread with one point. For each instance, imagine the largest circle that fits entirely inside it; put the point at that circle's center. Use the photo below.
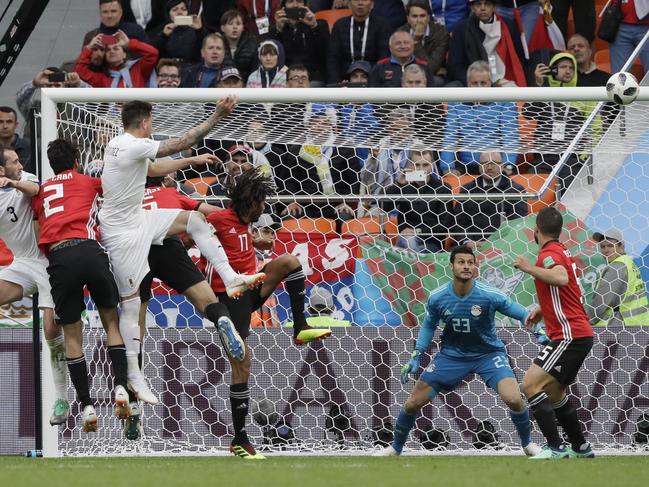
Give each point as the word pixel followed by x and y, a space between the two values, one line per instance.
pixel 469 344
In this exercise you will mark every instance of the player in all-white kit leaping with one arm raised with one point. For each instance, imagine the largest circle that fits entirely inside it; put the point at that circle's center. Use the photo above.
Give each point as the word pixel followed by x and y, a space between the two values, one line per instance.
pixel 127 231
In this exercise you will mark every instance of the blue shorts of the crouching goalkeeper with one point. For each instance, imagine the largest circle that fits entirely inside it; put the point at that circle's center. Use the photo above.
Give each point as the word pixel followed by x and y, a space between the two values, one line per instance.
pixel 446 372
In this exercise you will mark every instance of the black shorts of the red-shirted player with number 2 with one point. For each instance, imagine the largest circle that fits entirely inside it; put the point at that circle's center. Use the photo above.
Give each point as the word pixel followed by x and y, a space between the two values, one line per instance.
pixel 73 267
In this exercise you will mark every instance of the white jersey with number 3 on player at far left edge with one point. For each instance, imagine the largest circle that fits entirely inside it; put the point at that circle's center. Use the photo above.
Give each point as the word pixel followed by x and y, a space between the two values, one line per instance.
pixel 17 220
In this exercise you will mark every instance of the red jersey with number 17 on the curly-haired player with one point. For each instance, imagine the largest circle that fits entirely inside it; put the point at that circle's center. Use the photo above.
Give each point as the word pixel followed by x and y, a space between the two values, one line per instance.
pixel 236 240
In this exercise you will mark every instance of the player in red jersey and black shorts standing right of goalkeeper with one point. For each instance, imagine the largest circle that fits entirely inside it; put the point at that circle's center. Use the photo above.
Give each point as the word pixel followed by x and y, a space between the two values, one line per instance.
pixel 555 368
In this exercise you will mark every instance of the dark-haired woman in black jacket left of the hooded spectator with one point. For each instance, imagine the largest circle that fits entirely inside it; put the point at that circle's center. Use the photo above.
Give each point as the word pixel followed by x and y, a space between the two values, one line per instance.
pixel 241 46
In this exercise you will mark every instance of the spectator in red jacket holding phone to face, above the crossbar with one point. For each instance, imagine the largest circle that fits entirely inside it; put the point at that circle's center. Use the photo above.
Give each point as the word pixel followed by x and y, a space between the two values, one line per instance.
pixel 120 71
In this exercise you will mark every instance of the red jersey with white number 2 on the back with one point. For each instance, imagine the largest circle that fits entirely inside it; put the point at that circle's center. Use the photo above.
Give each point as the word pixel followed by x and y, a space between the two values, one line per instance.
pixel 66 207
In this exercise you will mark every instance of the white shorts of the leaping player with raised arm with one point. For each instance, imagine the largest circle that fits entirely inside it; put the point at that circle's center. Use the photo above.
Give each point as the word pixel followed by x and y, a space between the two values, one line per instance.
pixel 129 250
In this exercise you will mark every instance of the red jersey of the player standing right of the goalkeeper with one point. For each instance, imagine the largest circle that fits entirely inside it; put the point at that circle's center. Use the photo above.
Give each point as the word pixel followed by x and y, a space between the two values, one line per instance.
pixel 563 311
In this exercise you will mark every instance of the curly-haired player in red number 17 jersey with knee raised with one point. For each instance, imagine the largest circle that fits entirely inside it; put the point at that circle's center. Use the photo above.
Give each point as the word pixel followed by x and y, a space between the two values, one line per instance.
pixel 248 193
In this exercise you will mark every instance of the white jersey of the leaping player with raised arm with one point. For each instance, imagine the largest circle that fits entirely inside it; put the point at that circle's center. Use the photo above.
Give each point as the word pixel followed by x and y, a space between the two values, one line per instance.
pixel 123 180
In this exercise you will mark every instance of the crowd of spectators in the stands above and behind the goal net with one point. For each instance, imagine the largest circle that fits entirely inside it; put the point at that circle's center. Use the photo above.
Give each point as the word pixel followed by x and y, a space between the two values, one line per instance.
pixel 355 148
